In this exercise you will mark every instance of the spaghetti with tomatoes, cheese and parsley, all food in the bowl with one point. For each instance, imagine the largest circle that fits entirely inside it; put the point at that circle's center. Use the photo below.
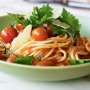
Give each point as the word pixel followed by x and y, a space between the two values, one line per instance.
pixel 42 40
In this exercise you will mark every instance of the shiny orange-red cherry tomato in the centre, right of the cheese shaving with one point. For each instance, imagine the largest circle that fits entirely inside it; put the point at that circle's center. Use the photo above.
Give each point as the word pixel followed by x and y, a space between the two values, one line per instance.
pixel 39 34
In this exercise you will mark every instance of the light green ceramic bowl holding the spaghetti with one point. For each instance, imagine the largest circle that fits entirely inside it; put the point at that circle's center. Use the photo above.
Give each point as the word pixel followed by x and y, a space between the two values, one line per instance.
pixel 50 73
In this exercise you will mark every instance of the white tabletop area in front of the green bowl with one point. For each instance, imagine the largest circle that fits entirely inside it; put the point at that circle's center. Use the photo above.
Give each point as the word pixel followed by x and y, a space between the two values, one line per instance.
pixel 11 83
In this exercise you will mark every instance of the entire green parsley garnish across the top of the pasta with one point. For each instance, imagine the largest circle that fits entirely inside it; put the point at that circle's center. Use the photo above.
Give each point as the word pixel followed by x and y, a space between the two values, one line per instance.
pixel 66 23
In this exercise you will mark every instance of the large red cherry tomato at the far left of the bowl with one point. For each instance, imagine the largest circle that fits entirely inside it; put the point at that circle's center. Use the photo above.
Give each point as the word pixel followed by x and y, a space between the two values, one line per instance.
pixel 8 34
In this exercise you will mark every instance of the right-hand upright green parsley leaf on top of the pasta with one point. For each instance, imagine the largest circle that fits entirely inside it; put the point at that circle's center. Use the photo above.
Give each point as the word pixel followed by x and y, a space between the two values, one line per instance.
pixel 71 20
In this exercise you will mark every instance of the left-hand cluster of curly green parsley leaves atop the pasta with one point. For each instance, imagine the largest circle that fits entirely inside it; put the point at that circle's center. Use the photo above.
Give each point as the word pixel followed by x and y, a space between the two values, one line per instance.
pixel 38 17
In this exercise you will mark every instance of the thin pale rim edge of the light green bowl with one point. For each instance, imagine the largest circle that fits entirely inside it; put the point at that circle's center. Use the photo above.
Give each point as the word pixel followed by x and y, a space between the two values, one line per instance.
pixel 44 67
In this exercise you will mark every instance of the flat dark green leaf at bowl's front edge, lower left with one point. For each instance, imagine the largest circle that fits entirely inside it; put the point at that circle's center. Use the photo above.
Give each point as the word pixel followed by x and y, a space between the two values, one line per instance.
pixel 24 60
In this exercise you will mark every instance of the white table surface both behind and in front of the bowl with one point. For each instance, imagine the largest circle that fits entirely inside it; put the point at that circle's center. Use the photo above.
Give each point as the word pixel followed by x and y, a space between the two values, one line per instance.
pixel 11 83
